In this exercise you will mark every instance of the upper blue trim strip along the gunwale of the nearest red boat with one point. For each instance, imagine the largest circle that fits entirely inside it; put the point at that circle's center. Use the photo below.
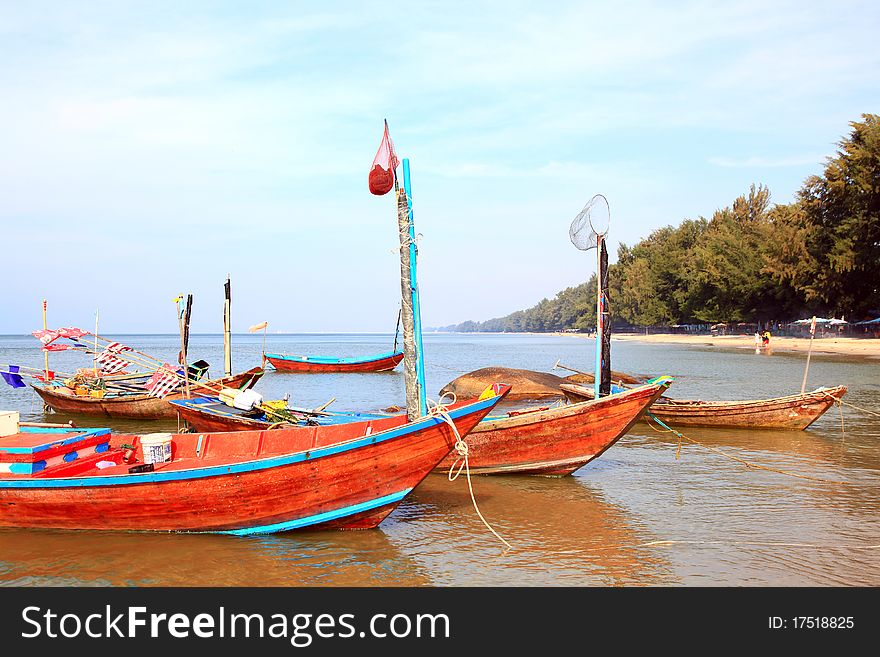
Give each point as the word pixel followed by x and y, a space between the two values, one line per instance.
pixel 246 466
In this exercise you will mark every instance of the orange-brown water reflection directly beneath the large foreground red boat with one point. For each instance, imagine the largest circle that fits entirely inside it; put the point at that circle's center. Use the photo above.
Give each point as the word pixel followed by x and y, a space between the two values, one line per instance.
pixel 364 558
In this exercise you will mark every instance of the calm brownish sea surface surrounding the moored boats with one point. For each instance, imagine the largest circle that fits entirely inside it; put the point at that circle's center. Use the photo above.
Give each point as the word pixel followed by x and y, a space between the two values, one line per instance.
pixel 635 516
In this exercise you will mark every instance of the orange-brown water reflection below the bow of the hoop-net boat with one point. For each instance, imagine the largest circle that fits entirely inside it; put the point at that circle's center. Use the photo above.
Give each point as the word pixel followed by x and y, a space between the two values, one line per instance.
pixel 562 532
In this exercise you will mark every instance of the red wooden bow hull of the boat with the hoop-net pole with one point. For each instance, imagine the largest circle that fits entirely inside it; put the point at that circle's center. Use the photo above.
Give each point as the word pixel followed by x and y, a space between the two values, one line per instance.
pixel 556 441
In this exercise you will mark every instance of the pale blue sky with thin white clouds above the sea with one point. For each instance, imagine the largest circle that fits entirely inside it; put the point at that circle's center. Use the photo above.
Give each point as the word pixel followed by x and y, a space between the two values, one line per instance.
pixel 150 148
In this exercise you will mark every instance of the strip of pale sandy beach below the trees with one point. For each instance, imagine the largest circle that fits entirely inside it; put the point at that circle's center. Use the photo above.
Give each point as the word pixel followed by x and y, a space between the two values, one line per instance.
pixel 859 347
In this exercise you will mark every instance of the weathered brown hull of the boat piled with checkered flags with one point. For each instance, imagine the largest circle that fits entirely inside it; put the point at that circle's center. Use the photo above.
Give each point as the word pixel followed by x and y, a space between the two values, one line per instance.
pixel 136 406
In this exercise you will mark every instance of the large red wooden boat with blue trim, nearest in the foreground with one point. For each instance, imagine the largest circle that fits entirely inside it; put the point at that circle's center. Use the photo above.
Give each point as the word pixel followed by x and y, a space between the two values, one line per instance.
pixel 345 476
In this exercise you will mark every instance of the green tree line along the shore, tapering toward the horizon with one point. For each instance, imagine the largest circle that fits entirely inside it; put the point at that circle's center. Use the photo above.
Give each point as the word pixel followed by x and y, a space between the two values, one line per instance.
pixel 750 262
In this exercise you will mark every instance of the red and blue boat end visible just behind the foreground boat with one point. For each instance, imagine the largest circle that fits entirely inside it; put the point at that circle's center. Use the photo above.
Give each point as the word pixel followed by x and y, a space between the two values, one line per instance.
pixel 211 414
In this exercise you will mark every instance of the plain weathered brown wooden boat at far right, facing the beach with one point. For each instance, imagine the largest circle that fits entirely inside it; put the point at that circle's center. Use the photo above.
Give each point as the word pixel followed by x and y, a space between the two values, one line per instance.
pixel 790 412
